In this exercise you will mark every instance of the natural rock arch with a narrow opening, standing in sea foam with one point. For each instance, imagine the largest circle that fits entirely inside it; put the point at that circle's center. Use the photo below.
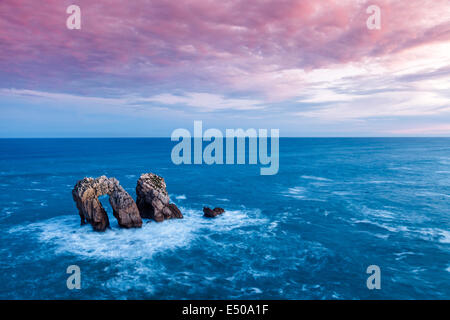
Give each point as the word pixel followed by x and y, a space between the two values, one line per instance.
pixel 86 193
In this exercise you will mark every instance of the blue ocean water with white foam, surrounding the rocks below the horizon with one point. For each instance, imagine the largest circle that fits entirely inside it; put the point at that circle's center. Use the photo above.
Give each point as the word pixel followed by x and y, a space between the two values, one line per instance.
pixel 335 207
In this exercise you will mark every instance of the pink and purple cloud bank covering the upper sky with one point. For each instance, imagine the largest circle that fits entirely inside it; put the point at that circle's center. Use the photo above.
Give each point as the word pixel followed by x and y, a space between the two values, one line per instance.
pixel 150 45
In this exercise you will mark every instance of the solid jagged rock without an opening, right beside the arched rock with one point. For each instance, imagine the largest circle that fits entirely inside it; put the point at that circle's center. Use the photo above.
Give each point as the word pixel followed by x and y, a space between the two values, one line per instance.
pixel 153 200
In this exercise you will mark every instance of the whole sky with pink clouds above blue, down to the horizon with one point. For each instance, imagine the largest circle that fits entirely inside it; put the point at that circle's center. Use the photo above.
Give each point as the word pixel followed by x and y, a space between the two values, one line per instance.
pixel 144 68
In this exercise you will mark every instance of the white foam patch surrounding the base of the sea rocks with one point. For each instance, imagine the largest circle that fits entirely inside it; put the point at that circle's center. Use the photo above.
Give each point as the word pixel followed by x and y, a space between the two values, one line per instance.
pixel 67 237
